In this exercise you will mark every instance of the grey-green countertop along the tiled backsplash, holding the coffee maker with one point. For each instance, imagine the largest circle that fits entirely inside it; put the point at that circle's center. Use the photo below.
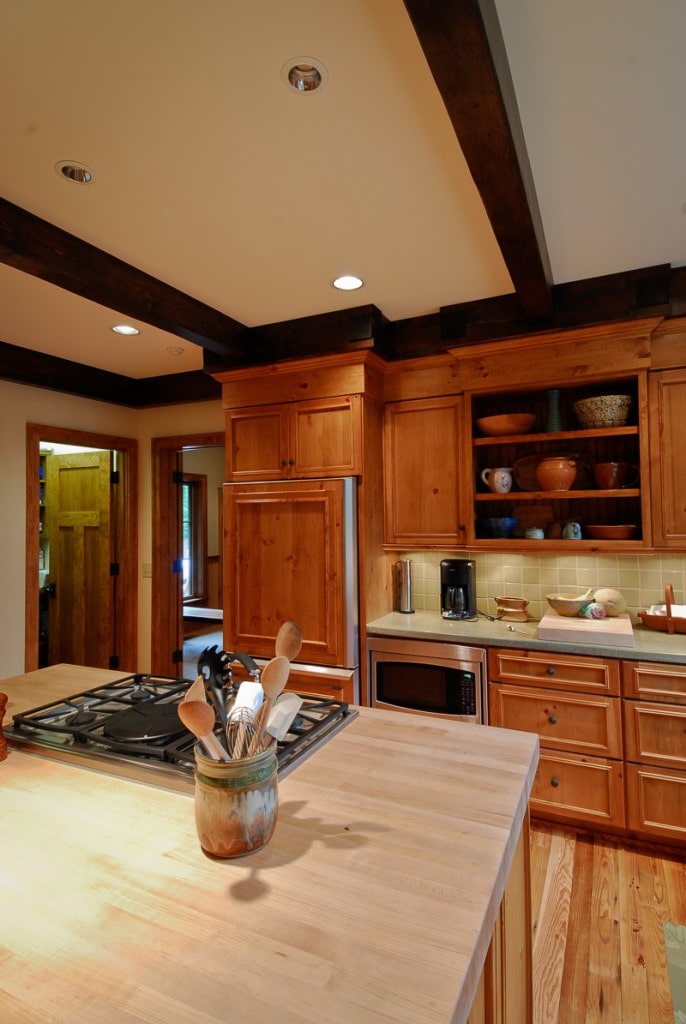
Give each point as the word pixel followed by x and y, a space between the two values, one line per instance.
pixel 650 646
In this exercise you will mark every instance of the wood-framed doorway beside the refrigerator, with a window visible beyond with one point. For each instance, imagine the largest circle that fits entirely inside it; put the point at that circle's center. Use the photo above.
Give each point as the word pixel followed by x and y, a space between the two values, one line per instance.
pixel 176 459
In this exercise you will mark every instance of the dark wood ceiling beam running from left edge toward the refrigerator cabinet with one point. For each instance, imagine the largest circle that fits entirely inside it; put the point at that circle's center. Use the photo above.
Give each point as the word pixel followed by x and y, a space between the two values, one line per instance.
pixel 38 248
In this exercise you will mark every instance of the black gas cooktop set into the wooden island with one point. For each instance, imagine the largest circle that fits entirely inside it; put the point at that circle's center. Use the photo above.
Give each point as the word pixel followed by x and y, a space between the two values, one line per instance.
pixel 131 728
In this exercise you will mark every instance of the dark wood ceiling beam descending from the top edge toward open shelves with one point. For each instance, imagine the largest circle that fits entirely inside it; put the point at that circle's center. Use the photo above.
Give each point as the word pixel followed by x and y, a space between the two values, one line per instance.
pixel 464 48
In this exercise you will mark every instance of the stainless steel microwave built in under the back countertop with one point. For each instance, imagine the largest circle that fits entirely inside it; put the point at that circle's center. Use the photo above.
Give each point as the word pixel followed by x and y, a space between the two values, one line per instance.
pixel 444 680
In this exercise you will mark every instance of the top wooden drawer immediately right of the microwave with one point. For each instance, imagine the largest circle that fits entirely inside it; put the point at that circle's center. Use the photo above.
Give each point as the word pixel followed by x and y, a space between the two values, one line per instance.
pixel 569 672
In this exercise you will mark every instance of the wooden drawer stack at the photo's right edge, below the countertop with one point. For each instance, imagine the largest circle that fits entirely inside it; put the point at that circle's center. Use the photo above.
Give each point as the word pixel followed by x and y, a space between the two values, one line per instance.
pixel 655 713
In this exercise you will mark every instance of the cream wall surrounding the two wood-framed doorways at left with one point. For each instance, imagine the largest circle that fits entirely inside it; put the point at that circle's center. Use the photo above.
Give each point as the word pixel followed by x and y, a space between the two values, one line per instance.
pixel 21 405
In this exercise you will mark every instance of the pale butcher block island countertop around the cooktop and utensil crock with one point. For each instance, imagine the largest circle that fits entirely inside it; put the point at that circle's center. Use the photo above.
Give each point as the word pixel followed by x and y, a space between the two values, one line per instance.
pixel 375 902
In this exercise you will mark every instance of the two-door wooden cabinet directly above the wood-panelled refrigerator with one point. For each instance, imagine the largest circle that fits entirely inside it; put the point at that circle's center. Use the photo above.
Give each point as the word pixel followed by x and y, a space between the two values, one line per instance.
pixel 313 439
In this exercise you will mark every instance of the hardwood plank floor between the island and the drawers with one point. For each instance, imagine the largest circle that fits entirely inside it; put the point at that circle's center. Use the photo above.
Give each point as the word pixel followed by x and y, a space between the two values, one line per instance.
pixel 598 909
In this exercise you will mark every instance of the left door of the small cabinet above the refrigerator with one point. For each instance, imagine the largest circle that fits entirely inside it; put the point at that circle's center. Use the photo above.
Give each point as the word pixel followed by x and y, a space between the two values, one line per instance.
pixel 258 444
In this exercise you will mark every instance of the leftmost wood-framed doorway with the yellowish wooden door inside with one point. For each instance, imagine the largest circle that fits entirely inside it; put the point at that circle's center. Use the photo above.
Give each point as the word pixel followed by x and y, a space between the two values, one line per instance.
pixel 81 595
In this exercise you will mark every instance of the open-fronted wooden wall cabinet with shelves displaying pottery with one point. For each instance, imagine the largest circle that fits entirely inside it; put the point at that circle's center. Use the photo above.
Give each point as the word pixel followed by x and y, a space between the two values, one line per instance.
pixel 518 376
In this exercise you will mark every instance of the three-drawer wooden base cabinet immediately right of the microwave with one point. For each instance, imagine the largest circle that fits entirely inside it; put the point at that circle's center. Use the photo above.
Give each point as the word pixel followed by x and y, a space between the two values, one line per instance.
pixel 574 704
